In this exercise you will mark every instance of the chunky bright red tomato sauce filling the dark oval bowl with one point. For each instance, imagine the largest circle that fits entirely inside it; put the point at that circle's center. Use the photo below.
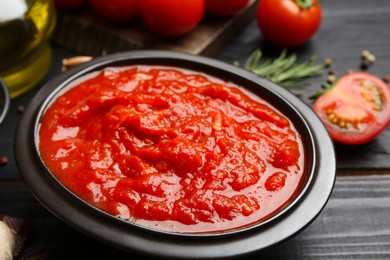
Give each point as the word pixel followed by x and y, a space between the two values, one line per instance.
pixel 172 149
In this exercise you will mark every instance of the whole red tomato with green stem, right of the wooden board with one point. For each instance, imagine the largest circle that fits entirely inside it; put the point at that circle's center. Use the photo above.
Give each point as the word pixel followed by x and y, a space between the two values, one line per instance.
pixel 288 23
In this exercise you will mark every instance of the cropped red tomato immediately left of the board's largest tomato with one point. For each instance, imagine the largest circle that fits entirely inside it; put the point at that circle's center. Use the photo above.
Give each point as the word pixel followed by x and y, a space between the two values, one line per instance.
pixel 116 10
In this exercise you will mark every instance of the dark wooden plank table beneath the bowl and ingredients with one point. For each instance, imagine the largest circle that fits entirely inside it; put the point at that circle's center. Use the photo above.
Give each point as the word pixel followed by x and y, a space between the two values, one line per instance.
pixel 355 223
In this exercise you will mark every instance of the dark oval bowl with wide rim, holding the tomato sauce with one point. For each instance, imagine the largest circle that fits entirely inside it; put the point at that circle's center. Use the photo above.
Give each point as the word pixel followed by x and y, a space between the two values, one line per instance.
pixel 318 181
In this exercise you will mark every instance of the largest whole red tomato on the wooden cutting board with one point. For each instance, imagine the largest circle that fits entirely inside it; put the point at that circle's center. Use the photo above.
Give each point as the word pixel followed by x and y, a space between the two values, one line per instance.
pixel 171 17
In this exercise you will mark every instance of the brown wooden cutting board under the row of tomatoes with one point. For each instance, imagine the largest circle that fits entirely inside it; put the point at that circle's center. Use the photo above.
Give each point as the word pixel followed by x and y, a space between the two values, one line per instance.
pixel 85 32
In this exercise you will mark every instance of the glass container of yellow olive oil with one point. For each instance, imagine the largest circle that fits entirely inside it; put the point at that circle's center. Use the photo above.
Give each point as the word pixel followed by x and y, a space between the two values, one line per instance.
pixel 25 54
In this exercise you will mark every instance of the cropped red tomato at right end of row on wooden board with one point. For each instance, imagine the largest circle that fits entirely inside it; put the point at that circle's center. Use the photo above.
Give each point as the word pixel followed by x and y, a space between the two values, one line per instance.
pixel 225 7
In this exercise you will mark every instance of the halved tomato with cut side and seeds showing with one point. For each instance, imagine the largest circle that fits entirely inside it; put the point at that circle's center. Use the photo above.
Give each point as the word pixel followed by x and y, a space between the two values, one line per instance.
pixel 356 109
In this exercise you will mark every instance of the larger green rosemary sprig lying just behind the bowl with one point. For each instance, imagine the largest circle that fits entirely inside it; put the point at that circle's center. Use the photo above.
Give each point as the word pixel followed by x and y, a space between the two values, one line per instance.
pixel 284 70
